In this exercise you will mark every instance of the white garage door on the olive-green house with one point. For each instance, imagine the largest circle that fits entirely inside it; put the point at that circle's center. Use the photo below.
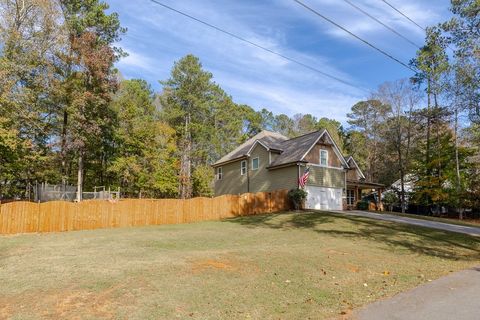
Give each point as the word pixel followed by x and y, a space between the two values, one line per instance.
pixel 324 198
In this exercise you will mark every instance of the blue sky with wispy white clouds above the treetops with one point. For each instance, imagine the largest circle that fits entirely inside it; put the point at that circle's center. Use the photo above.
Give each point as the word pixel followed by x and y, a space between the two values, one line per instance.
pixel 157 37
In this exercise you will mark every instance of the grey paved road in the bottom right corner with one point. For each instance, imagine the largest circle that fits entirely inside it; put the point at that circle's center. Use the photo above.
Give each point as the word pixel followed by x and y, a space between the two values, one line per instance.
pixel 454 297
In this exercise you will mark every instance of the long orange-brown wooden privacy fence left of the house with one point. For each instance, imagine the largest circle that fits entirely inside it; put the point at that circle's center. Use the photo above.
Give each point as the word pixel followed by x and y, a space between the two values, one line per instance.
pixel 22 217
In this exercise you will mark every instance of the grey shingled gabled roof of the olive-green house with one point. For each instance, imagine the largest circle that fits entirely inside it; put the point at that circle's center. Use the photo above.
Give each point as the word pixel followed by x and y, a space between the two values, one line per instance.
pixel 291 150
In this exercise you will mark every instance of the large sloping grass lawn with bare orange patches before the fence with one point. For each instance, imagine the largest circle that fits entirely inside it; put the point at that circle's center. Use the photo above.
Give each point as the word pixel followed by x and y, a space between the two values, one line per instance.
pixel 283 266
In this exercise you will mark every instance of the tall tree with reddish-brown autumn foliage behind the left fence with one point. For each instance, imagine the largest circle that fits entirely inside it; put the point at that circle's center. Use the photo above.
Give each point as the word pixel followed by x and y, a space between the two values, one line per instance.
pixel 86 78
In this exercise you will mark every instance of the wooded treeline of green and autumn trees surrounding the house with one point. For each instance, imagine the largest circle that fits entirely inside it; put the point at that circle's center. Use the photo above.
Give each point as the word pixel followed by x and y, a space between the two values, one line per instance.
pixel 68 117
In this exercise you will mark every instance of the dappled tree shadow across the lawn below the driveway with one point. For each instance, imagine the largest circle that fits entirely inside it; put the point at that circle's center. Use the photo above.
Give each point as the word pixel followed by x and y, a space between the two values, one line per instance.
pixel 416 239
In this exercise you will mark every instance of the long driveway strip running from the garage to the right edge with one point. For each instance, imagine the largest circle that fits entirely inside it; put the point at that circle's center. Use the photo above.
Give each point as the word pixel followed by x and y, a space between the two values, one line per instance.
pixel 474 231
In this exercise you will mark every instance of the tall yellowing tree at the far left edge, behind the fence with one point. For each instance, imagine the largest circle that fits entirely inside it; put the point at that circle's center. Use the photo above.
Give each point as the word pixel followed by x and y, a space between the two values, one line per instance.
pixel 26 75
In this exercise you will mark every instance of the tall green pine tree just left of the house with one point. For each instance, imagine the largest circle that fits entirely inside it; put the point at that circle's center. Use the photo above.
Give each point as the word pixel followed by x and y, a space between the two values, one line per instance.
pixel 206 121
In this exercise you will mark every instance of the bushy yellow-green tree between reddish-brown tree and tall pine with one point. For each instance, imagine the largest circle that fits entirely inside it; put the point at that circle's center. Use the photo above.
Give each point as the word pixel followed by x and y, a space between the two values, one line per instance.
pixel 143 161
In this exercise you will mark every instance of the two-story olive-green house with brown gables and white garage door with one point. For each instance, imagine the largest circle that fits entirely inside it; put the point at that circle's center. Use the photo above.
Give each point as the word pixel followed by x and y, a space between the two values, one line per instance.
pixel 270 161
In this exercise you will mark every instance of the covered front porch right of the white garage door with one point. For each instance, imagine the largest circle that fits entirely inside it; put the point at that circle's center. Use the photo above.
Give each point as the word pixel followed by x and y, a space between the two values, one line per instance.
pixel 357 189
